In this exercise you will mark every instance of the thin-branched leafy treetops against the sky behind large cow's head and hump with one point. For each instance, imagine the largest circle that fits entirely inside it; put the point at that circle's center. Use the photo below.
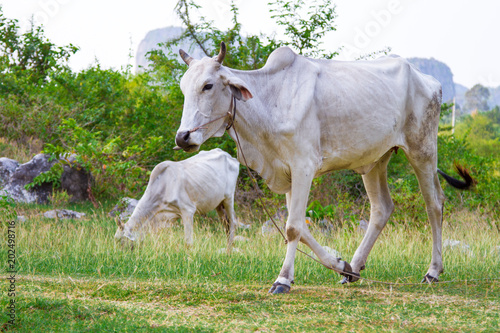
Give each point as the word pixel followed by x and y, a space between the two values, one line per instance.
pixel 304 28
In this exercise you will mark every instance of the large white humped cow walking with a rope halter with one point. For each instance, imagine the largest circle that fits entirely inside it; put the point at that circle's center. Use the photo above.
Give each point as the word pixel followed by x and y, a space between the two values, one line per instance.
pixel 298 118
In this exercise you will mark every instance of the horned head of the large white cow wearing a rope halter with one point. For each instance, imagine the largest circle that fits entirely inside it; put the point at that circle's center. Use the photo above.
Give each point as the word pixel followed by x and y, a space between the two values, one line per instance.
pixel 208 88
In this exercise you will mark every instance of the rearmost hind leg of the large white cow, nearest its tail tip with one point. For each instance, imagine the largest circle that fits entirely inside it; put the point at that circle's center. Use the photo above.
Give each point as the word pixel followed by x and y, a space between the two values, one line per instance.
pixel 426 171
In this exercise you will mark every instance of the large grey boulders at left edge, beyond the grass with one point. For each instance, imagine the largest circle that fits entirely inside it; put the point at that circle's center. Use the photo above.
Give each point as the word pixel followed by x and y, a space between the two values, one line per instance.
pixel 14 177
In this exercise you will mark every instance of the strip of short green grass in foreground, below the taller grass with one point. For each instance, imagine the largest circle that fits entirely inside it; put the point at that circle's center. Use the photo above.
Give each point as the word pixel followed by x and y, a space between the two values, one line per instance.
pixel 64 304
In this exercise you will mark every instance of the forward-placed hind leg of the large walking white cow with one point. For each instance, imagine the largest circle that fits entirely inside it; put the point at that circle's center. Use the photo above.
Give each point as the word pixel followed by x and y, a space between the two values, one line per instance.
pixel 381 209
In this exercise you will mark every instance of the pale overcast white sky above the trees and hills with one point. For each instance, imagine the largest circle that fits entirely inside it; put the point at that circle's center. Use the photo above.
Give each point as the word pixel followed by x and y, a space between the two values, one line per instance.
pixel 463 34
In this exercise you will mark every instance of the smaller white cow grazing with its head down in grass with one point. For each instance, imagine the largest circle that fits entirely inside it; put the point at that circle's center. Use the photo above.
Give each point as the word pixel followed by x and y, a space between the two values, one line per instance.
pixel 175 190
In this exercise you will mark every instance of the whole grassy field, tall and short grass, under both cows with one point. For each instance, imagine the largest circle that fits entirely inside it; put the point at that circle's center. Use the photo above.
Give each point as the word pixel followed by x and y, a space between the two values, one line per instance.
pixel 73 277
